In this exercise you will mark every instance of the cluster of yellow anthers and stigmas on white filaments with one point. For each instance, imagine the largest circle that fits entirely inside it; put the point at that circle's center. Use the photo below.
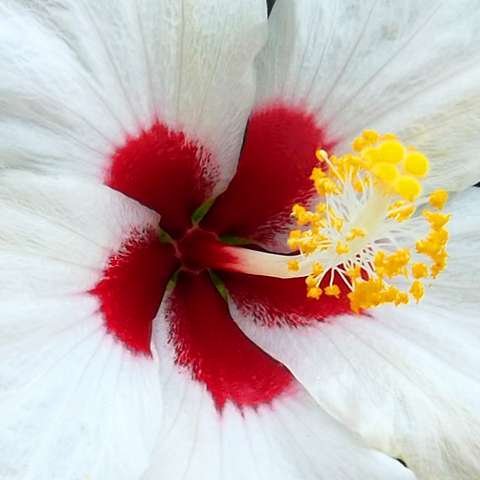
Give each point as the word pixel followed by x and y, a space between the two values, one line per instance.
pixel 359 232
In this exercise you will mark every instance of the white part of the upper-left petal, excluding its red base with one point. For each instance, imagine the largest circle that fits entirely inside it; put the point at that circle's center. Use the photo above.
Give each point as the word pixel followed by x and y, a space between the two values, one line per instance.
pixel 80 77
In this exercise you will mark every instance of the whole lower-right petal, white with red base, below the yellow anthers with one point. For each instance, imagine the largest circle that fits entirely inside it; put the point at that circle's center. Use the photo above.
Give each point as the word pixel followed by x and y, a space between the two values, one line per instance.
pixel 406 379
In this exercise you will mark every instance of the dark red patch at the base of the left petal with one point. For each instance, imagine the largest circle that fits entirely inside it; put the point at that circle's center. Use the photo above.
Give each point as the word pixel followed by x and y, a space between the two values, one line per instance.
pixel 132 288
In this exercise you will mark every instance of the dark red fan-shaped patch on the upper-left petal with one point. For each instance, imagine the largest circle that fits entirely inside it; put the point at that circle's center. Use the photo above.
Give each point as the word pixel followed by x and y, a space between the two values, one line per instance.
pixel 165 171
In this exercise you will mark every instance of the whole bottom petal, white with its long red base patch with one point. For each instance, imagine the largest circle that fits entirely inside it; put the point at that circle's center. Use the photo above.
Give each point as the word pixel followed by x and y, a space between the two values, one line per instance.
pixel 234 413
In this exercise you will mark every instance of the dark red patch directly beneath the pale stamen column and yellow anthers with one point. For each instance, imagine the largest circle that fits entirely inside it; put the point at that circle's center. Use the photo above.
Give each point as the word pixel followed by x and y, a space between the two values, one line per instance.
pixel 277 302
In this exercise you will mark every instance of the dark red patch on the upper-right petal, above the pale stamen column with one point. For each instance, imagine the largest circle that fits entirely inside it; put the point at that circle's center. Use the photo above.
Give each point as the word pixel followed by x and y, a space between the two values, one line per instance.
pixel 273 173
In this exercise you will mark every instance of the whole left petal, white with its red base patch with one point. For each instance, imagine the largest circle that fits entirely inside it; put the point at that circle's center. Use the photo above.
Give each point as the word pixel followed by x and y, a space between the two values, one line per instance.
pixel 75 401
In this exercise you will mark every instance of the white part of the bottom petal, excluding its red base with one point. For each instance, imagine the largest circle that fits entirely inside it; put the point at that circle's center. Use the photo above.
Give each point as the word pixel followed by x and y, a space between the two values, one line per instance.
pixel 289 439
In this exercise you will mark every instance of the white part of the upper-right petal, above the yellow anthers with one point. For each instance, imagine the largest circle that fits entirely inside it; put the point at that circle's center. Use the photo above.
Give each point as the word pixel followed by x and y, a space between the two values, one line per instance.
pixel 409 67
